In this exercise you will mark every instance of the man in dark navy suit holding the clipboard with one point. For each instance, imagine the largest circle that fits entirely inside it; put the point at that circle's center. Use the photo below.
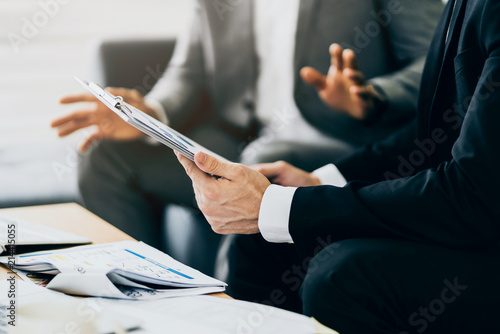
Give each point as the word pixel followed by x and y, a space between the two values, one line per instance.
pixel 411 244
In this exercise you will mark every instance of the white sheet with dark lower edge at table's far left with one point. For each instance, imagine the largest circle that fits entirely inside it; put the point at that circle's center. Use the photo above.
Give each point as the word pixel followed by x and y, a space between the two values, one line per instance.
pixel 27 236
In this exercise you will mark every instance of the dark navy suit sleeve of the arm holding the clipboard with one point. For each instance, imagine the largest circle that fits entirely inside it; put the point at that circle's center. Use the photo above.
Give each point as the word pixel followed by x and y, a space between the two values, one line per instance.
pixel 456 204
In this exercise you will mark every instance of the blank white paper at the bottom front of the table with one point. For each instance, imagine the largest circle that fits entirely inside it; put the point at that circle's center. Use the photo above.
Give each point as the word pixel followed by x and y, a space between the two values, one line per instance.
pixel 210 315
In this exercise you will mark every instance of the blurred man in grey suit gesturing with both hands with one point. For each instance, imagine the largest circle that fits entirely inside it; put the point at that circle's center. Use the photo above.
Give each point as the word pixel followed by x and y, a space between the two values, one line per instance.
pixel 248 58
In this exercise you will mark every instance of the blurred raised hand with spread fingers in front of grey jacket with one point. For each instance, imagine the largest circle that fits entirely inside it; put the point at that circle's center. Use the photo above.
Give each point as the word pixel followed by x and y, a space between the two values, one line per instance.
pixel 344 88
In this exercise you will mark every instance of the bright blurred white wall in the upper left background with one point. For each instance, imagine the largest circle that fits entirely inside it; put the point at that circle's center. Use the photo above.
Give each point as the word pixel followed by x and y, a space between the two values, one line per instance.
pixel 34 74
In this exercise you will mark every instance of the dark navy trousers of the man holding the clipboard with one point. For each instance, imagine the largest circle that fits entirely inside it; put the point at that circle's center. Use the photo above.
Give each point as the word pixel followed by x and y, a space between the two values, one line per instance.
pixel 373 285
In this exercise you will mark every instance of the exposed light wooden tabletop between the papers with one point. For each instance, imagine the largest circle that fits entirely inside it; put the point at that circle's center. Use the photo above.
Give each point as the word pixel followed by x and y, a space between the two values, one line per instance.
pixel 71 218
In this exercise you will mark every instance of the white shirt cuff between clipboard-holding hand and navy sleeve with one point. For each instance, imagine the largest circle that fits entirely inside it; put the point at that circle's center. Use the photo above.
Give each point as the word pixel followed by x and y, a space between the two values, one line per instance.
pixel 275 213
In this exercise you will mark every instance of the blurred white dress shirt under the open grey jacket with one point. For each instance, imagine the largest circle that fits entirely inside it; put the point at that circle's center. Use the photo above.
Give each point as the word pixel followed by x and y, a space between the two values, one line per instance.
pixel 275 29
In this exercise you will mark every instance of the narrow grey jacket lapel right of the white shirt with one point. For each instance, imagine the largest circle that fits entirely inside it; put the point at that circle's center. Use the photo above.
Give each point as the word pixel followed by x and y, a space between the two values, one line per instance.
pixel 307 11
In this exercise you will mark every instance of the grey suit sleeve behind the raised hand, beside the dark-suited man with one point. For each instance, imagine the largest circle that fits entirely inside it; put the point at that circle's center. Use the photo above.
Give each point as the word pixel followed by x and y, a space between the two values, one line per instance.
pixel 410 30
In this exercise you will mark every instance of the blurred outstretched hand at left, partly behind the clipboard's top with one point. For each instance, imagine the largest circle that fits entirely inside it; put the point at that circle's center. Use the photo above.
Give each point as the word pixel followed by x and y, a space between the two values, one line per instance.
pixel 109 125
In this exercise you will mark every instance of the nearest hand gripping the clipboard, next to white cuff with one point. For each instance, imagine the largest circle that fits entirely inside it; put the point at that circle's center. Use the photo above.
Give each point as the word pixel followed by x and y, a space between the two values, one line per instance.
pixel 230 203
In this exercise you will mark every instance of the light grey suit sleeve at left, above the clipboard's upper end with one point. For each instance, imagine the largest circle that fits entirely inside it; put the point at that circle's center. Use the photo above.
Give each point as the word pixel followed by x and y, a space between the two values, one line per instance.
pixel 181 85
